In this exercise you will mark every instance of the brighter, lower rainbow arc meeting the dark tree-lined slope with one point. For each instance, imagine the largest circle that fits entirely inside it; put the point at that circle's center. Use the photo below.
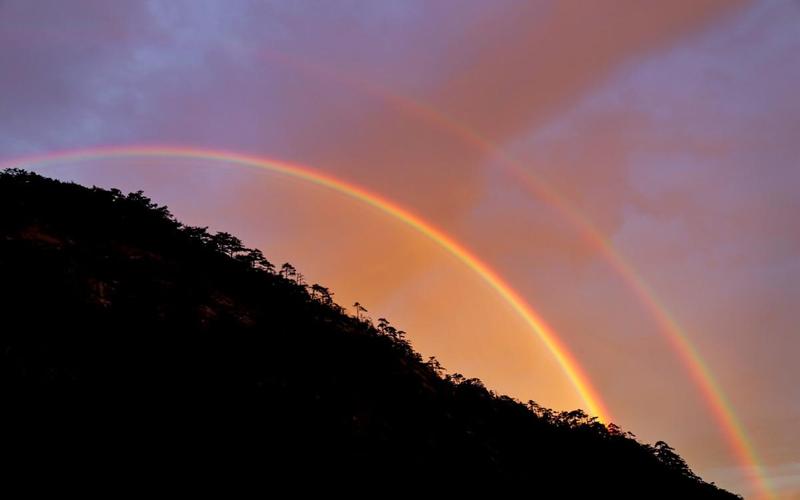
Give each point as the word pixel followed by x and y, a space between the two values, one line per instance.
pixel 532 319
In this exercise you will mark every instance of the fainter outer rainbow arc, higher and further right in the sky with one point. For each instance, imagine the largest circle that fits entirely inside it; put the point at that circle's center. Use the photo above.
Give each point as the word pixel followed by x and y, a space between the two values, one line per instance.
pixel 712 393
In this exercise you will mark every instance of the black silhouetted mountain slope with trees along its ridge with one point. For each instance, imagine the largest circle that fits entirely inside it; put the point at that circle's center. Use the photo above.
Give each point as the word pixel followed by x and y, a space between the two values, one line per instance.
pixel 134 347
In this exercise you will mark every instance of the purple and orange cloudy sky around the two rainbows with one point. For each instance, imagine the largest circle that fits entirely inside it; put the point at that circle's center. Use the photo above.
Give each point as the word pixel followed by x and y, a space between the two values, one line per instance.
pixel 668 129
